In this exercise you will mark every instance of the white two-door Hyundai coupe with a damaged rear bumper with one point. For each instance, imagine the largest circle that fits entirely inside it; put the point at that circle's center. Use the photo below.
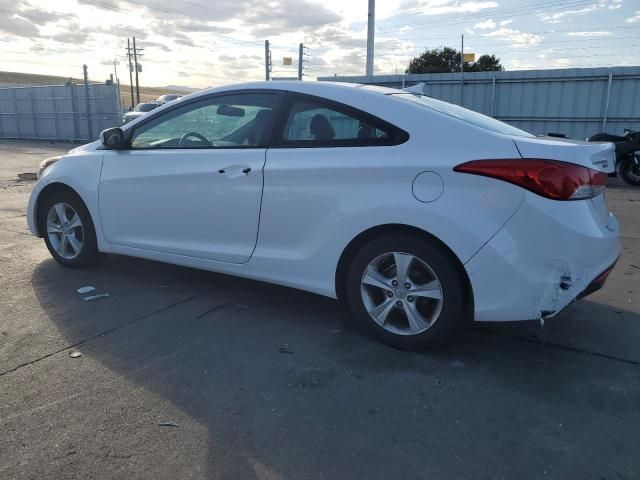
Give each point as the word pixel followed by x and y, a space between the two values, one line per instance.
pixel 418 213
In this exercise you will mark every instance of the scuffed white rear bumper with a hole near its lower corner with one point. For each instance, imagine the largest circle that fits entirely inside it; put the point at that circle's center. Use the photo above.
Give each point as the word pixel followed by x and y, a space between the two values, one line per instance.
pixel 547 255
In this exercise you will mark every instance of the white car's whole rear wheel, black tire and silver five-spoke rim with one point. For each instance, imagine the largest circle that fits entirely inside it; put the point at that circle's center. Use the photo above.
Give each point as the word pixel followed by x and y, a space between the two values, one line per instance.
pixel 407 291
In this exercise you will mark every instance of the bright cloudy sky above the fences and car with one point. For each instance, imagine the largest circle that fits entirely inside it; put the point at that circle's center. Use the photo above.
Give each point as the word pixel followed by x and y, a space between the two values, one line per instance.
pixel 200 43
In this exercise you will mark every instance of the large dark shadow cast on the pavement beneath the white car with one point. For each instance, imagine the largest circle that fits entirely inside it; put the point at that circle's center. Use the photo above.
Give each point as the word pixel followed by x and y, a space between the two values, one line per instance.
pixel 286 388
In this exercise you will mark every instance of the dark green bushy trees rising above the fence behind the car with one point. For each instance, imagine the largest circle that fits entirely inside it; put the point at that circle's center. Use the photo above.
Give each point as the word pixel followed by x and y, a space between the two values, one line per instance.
pixel 447 60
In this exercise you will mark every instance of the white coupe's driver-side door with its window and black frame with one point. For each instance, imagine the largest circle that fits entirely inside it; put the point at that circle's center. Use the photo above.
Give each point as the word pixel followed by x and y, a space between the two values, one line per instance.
pixel 190 182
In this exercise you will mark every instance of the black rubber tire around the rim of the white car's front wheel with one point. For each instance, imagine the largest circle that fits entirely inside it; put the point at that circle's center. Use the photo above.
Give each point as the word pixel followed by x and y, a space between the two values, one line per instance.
pixel 89 254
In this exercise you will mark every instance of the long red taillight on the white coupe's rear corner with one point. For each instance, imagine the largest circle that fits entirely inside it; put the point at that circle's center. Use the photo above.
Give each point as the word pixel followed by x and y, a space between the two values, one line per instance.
pixel 550 178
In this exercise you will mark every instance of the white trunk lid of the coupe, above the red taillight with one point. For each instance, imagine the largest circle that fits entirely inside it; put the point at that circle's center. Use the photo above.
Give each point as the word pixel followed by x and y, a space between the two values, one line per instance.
pixel 597 156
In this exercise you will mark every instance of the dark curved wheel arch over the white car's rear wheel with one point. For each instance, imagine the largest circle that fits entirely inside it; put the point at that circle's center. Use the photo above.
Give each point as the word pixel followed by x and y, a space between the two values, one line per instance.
pixel 391 229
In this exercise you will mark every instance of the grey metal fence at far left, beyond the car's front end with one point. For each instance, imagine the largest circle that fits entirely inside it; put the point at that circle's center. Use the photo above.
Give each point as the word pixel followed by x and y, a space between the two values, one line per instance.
pixel 58 112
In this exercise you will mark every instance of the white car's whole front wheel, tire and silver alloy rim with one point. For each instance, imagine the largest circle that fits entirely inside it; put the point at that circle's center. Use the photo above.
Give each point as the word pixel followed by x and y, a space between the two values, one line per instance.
pixel 68 230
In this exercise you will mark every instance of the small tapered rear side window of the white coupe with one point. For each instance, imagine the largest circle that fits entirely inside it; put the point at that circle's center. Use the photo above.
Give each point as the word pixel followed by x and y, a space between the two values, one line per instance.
pixel 317 123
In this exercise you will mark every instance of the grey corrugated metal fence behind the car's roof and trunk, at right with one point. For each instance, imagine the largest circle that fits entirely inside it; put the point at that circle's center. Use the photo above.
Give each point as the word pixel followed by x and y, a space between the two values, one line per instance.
pixel 577 101
